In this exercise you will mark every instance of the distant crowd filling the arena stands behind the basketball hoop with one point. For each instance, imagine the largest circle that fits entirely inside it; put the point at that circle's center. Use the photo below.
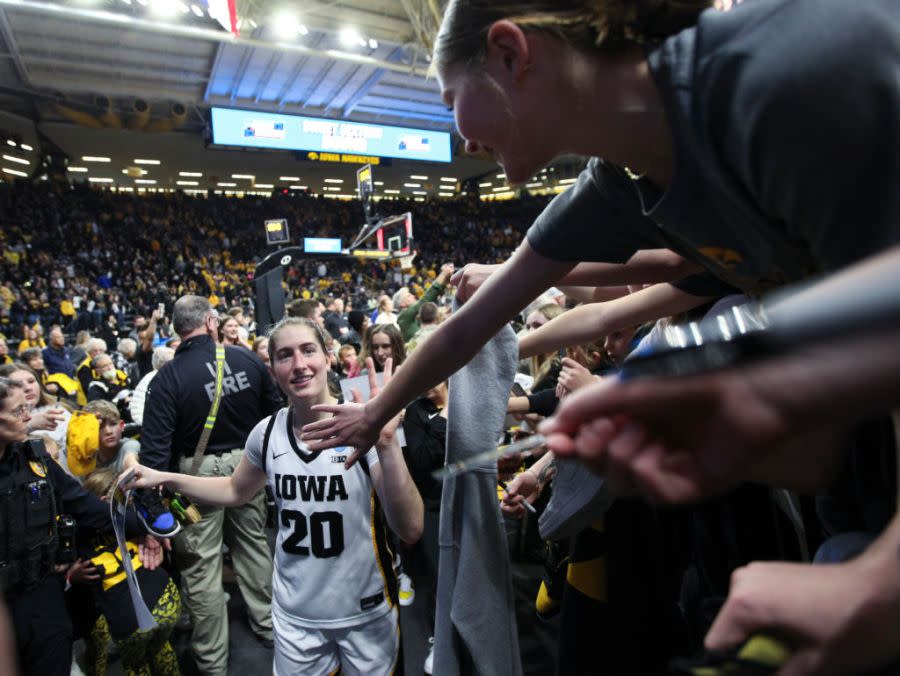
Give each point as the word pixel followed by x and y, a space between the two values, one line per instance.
pixel 77 256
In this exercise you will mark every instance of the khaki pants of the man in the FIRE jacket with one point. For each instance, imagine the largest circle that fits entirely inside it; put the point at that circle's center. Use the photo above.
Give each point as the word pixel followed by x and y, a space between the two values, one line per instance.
pixel 198 554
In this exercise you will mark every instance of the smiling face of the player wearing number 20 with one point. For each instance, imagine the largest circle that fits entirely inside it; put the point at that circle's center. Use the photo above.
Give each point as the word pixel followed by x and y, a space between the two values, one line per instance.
pixel 300 366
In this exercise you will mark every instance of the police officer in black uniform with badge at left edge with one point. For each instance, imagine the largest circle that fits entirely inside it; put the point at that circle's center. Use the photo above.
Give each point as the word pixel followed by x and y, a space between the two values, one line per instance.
pixel 34 491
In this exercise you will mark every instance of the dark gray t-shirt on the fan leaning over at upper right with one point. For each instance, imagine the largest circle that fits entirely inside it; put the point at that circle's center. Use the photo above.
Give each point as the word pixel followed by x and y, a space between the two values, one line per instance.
pixel 785 118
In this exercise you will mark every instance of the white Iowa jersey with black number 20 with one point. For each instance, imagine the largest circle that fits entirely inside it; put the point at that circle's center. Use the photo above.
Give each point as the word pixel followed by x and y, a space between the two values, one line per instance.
pixel 332 564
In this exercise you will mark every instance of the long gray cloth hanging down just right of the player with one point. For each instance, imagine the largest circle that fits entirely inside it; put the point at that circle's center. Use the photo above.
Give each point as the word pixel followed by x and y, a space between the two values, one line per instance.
pixel 475 624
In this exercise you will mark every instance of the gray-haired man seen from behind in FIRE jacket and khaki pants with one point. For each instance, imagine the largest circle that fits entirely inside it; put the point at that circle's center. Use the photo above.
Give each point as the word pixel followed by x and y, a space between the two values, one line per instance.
pixel 179 400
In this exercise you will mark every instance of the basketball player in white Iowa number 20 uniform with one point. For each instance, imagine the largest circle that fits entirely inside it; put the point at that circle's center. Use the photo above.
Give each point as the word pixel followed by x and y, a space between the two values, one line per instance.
pixel 333 603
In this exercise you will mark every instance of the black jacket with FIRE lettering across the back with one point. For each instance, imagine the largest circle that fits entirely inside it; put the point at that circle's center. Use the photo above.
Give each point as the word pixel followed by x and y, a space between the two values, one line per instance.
pixel 180 396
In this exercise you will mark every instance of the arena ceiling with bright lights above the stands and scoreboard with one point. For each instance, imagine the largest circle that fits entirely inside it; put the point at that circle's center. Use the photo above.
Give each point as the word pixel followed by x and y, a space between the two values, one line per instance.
pixel 82 70
